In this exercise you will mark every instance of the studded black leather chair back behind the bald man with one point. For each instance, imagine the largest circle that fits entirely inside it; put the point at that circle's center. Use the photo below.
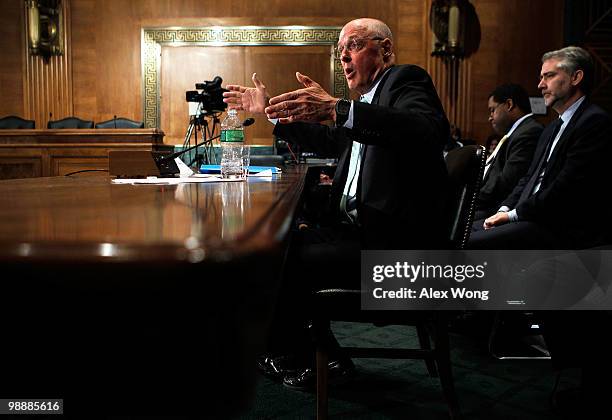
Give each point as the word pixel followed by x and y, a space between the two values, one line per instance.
pixel 465 167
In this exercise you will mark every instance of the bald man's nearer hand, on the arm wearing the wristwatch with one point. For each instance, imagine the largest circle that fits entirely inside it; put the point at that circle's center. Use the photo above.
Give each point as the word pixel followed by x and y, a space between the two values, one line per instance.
pixel 310 104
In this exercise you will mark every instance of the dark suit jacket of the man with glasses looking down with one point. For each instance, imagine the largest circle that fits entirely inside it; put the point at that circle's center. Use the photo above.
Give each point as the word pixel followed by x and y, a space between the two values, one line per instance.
pixel 509 165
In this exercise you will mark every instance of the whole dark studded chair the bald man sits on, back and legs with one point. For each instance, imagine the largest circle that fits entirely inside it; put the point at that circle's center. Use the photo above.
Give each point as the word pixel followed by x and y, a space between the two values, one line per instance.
pixel 465 168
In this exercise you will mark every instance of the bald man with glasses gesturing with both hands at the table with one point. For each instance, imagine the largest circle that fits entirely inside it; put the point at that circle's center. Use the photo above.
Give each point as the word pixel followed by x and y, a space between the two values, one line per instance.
pixel 389 190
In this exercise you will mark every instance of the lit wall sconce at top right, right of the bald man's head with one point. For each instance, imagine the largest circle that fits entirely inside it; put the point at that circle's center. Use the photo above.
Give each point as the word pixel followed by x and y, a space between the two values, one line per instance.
pixel 447 19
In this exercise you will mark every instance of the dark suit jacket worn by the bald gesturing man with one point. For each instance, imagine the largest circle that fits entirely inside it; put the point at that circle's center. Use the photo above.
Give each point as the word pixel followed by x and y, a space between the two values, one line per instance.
pixel 403 184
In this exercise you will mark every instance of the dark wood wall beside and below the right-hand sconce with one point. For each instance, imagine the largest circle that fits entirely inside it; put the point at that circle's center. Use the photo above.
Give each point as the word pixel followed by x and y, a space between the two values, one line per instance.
pixel 514 35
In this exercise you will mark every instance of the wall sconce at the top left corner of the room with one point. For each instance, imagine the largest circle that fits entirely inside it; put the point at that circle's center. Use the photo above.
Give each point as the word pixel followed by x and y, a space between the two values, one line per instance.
pixel 44 22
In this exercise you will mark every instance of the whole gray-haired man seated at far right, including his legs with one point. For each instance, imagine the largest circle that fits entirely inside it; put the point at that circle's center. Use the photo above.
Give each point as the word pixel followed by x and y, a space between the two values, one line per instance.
pixel 560 204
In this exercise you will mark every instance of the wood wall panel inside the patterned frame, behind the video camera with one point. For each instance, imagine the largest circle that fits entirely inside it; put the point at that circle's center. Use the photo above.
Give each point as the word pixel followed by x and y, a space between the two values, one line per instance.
pixel 182 67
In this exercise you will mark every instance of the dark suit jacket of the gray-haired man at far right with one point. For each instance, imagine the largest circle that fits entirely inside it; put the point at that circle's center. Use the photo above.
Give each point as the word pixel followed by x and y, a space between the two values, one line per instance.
pixel 573 200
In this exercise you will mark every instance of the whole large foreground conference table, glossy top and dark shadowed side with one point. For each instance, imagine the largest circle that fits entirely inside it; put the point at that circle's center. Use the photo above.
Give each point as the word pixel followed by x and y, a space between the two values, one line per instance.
pixel 140 299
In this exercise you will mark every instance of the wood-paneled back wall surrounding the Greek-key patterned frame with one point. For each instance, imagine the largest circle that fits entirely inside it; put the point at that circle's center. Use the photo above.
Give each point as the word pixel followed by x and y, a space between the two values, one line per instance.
pixel 104 63
